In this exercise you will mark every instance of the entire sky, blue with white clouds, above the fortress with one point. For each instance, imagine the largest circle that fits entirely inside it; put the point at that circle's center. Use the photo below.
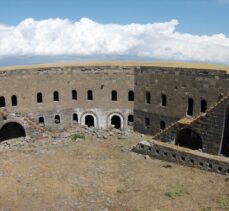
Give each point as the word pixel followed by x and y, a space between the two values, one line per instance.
pixel 194 17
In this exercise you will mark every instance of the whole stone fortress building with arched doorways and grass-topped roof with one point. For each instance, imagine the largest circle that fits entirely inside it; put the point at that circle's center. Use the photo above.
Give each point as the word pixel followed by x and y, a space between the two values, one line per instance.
pixel 183 104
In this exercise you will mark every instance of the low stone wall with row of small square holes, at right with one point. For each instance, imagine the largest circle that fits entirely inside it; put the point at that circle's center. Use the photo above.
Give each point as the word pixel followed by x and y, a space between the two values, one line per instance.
pixel 183 156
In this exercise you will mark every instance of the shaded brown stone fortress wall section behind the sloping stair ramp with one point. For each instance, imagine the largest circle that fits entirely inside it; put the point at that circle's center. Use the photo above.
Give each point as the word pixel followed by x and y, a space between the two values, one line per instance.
pixel 178 85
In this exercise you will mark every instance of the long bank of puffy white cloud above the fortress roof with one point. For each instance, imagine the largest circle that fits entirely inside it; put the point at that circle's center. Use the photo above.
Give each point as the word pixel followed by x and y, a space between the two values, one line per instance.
pixel 53 37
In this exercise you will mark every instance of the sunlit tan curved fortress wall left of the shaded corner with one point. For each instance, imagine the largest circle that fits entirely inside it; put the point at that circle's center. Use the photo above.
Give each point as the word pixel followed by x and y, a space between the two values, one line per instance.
pixel 25 84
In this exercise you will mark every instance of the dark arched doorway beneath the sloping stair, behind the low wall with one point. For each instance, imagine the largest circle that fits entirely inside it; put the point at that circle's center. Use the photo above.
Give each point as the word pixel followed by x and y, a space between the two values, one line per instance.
pixel 189 139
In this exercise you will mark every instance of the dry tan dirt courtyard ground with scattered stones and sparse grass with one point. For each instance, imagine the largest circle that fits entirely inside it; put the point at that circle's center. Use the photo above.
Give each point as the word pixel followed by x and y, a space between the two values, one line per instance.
pixel 101 174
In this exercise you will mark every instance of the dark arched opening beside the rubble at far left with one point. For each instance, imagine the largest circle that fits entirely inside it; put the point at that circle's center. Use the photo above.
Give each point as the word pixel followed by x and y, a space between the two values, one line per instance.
pixel 11 130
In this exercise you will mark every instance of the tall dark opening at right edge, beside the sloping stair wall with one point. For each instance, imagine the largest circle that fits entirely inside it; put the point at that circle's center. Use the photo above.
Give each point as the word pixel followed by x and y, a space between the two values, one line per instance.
pixel 225 143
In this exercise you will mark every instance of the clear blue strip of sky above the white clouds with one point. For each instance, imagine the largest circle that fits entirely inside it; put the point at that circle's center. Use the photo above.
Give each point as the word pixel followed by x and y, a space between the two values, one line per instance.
pixel 195 16
